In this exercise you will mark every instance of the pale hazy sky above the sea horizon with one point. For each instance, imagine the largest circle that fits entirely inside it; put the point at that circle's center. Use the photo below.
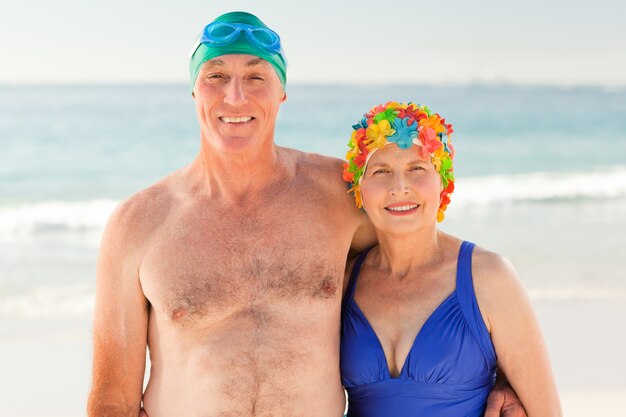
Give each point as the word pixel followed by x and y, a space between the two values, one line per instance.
pixel 555 42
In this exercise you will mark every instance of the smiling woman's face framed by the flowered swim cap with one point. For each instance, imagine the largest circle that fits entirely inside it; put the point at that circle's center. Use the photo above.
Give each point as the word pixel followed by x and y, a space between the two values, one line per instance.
pixel 401 190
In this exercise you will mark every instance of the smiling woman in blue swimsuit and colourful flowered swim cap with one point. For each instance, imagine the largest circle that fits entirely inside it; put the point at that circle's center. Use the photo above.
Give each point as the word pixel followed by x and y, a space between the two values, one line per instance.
pixel 427 317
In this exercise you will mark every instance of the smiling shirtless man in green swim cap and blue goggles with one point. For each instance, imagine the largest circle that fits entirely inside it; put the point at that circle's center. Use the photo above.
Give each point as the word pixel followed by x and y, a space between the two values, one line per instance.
pixel 231 268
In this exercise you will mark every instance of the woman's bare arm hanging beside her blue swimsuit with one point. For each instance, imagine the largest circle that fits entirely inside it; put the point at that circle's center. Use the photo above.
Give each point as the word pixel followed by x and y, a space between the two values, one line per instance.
pixel 515 332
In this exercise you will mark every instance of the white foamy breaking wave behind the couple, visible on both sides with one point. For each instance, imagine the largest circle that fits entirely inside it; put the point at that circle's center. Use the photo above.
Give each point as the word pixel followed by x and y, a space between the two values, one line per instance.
pixel 608 184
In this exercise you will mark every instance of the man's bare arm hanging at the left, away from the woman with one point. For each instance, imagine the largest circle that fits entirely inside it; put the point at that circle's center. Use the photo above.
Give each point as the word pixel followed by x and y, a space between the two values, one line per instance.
pixel 120 323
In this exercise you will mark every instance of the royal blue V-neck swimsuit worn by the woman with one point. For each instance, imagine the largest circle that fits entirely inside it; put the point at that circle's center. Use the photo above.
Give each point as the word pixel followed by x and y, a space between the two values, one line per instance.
pixel 449 370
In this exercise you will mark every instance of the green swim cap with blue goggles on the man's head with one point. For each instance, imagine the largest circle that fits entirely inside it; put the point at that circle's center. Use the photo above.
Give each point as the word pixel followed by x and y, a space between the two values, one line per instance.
pixel 247 39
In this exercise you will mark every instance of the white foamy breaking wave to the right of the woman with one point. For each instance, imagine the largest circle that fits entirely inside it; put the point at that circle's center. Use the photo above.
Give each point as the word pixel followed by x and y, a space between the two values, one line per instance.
pixel 541 186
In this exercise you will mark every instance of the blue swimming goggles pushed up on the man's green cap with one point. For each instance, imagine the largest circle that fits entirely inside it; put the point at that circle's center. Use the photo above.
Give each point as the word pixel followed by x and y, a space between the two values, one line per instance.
pixel 221 34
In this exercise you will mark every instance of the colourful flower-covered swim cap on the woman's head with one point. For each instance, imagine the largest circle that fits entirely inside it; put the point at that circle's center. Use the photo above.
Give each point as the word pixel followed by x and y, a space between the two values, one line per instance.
pixel 404 124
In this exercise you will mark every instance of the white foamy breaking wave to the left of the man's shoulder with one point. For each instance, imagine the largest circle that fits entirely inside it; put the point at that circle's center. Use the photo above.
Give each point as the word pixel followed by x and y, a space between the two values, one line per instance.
pixel 55 215
